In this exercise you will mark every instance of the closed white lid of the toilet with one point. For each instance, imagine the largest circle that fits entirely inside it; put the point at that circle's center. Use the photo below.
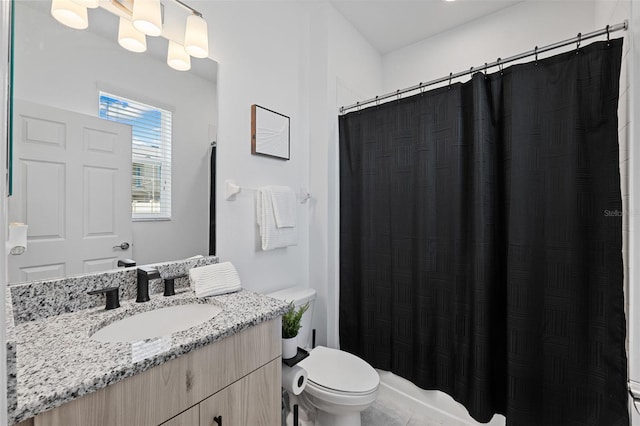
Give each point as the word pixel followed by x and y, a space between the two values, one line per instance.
pixel 341 371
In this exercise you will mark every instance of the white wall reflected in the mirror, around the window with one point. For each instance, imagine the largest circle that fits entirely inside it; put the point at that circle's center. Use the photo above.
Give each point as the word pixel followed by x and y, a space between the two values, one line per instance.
pixel 65 68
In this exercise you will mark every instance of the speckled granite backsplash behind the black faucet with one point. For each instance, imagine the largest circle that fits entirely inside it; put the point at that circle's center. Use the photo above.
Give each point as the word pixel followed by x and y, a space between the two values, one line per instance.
pixel 41 299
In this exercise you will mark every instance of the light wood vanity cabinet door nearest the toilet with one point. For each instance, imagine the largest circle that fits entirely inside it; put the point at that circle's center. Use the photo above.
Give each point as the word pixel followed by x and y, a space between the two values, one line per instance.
pixel 253 400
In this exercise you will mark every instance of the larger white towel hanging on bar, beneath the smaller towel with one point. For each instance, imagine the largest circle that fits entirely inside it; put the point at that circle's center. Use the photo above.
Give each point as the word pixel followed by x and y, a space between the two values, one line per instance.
pixel 272 236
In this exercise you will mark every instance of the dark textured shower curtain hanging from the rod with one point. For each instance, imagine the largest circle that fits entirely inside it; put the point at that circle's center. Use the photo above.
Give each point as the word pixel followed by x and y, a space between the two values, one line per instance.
pixel 481 241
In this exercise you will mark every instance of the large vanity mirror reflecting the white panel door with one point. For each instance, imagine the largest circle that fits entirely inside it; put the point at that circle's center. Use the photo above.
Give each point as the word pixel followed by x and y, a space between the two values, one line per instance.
pixel 62 71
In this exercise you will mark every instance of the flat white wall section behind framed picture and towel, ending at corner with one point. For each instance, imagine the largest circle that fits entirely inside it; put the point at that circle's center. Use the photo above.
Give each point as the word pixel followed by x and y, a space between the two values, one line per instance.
pixel 259 46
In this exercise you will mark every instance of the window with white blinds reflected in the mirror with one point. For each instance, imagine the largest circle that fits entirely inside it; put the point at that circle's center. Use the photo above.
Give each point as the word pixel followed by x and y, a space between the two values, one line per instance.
pixel 151 154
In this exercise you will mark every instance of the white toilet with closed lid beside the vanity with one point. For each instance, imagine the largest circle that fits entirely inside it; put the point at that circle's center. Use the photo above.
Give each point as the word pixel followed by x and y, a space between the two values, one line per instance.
pixel 340 385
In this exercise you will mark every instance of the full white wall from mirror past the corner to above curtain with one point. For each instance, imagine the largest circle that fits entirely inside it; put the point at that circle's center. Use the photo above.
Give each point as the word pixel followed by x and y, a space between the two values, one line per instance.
pixel 294 58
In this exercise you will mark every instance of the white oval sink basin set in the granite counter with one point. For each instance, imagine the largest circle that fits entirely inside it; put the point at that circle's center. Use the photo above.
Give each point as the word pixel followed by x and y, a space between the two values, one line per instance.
pixel 156 323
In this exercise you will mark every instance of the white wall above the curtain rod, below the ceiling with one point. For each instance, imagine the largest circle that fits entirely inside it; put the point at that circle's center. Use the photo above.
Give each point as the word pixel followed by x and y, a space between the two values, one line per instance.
pixel 510 31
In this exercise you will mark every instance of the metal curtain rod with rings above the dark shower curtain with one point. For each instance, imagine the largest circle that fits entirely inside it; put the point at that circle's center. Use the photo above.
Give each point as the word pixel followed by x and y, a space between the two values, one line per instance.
pixel 499 62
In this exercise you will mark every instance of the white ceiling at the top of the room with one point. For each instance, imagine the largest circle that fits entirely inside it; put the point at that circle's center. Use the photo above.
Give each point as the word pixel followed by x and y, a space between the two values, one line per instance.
pixel 392 24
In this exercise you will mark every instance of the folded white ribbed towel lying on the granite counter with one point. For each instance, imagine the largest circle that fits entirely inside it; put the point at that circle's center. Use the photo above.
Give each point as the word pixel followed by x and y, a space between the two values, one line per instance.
pixel 219 278
